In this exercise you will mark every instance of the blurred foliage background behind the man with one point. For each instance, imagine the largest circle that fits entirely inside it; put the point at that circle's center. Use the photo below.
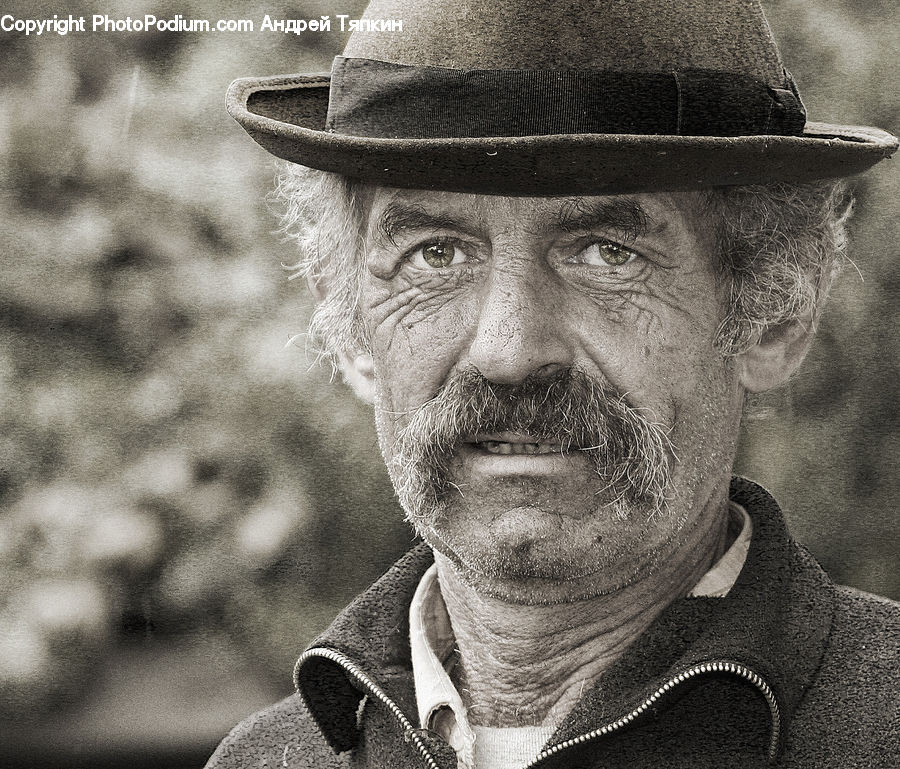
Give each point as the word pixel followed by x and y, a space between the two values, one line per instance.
pixel 184 500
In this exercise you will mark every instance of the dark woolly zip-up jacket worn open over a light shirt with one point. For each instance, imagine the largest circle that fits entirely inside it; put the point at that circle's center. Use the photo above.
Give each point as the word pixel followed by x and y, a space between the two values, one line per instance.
pixel 788 670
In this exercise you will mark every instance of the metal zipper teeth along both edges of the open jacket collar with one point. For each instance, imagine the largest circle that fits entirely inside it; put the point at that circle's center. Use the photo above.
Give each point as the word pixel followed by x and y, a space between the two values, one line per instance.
pixel 412 735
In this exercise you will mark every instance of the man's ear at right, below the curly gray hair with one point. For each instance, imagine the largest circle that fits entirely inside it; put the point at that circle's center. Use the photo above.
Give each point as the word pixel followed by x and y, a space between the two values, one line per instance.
pixel 775 355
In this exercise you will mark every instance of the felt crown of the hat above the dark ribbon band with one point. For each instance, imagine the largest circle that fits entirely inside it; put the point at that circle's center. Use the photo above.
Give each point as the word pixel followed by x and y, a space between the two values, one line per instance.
pixel 610 35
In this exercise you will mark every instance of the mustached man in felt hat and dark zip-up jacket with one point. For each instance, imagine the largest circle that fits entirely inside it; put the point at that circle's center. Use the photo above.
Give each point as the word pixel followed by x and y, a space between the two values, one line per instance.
pixel 554 246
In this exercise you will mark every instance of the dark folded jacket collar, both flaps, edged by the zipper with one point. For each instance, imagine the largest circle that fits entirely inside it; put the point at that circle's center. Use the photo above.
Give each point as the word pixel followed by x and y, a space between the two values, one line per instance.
pixel 775 620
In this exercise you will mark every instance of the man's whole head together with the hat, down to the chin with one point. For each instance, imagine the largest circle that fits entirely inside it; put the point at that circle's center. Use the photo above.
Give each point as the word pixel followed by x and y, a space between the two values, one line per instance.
pixel 561 243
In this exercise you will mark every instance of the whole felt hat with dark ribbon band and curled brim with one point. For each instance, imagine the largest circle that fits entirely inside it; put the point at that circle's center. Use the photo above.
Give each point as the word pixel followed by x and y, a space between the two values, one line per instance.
pixel 554 97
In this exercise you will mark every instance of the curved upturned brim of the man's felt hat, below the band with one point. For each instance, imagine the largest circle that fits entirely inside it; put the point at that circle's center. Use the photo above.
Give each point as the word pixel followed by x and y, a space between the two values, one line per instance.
pixel 286 116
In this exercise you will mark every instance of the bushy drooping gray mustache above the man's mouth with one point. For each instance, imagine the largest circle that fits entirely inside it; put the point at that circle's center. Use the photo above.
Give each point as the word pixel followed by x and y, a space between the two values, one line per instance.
pixel 630 453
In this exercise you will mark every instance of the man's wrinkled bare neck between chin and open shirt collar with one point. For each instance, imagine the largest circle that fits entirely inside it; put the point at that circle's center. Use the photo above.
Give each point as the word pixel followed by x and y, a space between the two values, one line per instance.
pixel 527 665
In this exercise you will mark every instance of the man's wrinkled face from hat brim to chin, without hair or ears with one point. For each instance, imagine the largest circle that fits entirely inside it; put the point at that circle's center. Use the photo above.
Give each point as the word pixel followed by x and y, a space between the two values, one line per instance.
pixel 550 402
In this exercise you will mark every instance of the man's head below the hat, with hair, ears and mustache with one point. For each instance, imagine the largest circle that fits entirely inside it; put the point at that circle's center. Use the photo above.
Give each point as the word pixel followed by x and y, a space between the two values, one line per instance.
pixel 558 381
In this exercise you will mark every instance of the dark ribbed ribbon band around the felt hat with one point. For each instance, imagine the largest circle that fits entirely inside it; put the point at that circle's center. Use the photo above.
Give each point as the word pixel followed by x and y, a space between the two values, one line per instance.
pixel 380 99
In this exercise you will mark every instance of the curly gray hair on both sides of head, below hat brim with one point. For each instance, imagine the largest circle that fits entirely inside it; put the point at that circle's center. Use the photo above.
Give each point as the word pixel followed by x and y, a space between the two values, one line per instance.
pixel 780 246
